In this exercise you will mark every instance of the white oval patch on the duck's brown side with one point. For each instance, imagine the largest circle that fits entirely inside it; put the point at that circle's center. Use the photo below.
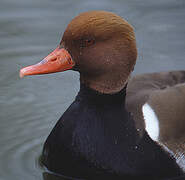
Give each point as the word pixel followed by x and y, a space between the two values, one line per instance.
pixel 151 122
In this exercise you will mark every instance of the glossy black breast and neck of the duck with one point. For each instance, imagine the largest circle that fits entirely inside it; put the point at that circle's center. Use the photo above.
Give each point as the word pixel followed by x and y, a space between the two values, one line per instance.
pixel 96 138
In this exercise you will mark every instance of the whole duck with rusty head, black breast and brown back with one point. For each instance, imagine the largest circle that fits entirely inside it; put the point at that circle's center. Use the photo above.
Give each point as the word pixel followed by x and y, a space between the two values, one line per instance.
pixel 118 126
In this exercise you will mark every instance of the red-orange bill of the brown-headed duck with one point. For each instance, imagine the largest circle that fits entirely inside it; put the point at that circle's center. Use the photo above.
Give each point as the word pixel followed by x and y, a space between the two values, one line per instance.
pixel 57 61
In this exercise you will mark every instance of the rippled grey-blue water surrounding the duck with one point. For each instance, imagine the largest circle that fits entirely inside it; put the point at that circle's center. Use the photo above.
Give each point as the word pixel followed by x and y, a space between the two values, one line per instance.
pixel 29 30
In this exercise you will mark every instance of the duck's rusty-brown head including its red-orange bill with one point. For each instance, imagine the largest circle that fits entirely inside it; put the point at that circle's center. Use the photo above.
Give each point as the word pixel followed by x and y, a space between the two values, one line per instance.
pixel 99 45
